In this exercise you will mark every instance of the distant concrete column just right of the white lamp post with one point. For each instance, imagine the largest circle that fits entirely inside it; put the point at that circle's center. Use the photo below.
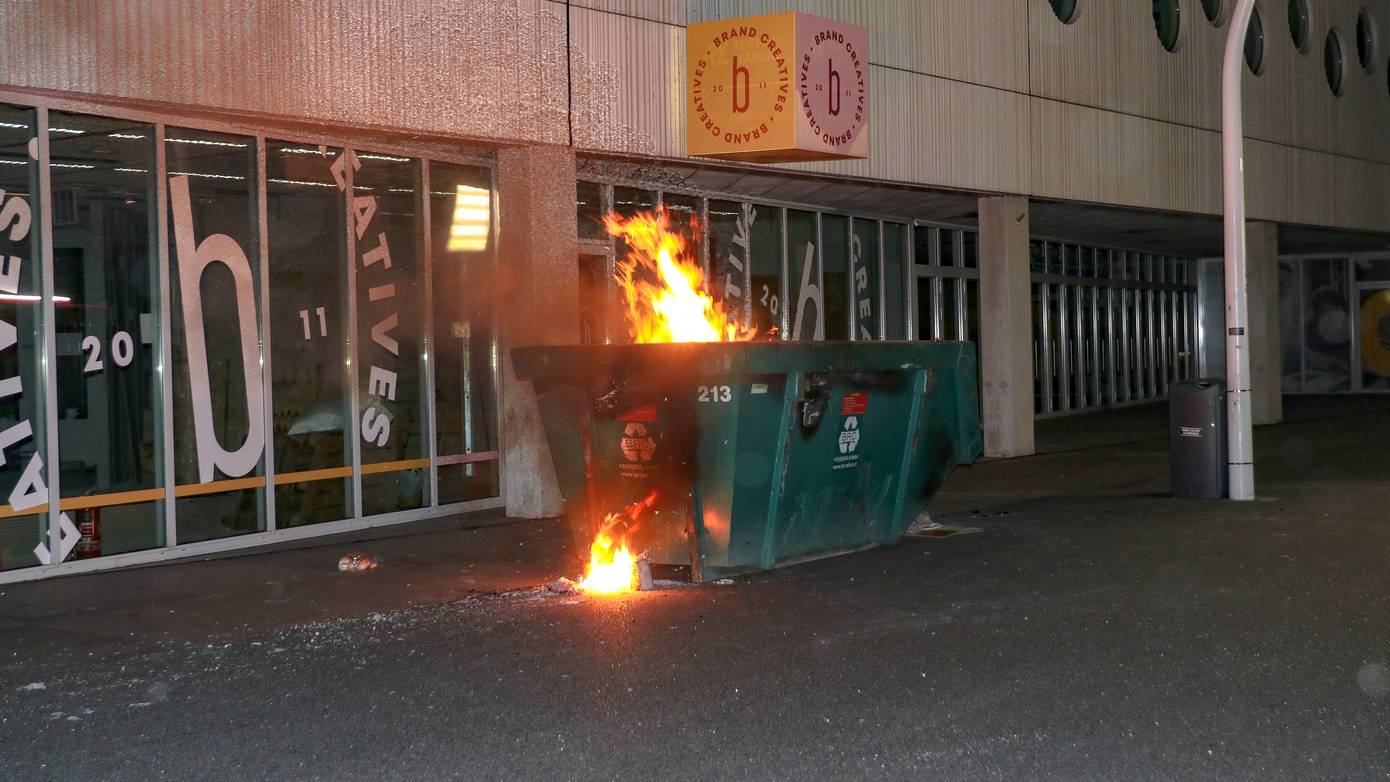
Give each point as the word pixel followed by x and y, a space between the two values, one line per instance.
pixel 1263 301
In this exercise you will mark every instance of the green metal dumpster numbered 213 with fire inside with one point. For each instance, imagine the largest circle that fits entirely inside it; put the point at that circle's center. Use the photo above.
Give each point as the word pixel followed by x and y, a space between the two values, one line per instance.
pixel 753 455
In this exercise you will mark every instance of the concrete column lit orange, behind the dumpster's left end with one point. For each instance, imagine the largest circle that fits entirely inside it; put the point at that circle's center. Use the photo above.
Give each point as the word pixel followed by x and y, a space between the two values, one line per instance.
pixel 539 305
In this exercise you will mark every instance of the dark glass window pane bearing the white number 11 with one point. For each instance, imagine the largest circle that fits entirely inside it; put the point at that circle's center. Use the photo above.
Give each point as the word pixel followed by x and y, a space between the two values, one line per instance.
pixel 305 217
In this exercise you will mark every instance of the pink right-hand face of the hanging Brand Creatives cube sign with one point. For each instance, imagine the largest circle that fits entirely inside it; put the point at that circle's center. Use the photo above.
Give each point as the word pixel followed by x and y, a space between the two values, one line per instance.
pixel 832 87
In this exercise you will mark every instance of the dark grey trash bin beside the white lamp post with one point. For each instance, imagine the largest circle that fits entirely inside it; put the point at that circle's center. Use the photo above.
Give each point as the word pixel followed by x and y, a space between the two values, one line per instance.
pixel 1197 435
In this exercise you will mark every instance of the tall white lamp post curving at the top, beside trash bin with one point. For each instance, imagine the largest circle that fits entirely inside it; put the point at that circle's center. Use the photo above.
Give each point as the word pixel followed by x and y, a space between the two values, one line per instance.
pixel 1241 452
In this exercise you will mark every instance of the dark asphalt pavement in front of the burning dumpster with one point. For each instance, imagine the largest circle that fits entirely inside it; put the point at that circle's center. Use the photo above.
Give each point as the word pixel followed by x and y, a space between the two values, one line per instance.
pixel 1093 629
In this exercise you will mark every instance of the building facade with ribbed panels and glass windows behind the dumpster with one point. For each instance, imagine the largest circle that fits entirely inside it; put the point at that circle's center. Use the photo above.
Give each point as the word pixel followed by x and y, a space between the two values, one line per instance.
pixel 265 262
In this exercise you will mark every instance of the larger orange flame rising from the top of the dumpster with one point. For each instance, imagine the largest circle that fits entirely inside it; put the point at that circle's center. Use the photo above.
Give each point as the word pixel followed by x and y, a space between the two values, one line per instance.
pixel 667 292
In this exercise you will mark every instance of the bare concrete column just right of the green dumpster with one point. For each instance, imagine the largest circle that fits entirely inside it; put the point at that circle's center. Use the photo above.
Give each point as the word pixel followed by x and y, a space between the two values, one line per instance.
pixel 1006 327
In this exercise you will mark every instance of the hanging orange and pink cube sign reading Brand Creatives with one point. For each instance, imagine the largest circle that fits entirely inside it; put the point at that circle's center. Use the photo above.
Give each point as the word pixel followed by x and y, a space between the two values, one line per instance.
pixel 778 88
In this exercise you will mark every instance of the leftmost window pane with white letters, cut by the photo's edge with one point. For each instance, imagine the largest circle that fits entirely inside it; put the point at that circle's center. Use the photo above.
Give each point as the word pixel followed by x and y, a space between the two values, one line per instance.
pixel 22 409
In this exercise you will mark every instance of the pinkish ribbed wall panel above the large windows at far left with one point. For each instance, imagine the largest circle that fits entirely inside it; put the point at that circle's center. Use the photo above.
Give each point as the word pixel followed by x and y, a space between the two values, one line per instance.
pixel 486 69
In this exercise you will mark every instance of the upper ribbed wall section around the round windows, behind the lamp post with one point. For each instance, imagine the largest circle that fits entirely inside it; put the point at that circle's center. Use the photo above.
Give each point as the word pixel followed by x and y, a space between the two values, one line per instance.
pixel 1110 58
